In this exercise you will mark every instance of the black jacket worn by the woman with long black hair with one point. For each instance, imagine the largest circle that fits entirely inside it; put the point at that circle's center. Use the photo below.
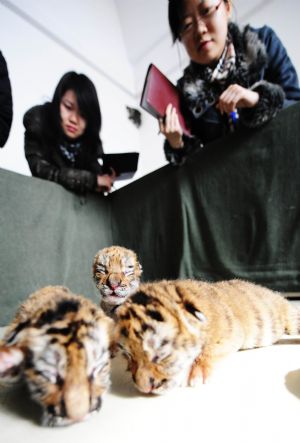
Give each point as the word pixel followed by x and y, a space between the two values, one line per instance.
pixel 45 159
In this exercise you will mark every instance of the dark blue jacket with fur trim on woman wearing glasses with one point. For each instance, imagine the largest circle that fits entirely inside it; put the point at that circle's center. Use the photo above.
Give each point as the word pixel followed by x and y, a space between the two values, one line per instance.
pixel 262 64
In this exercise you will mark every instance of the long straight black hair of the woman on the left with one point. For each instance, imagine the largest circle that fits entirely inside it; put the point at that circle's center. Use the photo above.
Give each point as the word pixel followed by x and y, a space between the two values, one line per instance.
pixel 88 105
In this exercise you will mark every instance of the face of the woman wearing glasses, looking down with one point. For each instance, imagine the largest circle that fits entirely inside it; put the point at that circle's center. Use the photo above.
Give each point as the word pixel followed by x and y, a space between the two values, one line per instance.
pixel 204 29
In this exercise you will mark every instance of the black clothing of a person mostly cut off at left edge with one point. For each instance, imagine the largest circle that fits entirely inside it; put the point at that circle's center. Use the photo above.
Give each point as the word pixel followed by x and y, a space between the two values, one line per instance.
pixel 6 107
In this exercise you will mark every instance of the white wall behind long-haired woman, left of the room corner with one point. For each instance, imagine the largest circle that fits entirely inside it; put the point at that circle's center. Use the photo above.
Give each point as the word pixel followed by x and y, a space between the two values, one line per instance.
pixel 58 36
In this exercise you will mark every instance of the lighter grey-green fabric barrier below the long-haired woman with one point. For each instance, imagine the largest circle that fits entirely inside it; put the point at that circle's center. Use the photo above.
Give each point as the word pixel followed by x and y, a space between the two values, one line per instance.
pixel 47 236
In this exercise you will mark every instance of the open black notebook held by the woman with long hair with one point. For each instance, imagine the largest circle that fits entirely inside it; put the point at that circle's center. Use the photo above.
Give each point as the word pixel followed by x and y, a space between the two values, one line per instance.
pixel 125 164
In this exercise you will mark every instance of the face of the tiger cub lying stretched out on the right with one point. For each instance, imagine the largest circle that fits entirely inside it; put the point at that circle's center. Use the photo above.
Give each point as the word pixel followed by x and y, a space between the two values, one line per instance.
pixel 160 352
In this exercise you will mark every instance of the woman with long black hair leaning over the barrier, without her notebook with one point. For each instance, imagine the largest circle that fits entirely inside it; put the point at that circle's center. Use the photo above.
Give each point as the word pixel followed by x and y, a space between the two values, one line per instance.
pixel 62 142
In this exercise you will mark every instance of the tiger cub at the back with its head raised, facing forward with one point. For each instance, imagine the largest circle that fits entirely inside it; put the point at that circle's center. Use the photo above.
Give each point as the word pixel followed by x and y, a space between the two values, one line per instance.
pixel 117 272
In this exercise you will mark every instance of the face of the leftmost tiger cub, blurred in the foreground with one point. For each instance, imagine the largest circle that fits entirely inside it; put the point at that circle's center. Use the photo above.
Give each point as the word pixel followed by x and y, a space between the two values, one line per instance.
pixel 65 377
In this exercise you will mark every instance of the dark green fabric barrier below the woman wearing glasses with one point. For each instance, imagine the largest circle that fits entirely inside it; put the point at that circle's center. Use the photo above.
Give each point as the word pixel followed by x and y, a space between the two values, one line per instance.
pixel 230 211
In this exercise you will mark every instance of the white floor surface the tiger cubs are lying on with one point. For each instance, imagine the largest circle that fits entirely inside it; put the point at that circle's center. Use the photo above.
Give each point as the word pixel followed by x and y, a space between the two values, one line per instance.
pixel 253 396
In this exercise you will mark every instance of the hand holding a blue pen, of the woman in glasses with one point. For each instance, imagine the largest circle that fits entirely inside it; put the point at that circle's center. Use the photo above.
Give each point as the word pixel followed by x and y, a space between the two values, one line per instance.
pixel 235 96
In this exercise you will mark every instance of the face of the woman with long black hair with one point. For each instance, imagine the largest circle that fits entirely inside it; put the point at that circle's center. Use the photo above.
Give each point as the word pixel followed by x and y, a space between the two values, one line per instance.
pixel 73 124
